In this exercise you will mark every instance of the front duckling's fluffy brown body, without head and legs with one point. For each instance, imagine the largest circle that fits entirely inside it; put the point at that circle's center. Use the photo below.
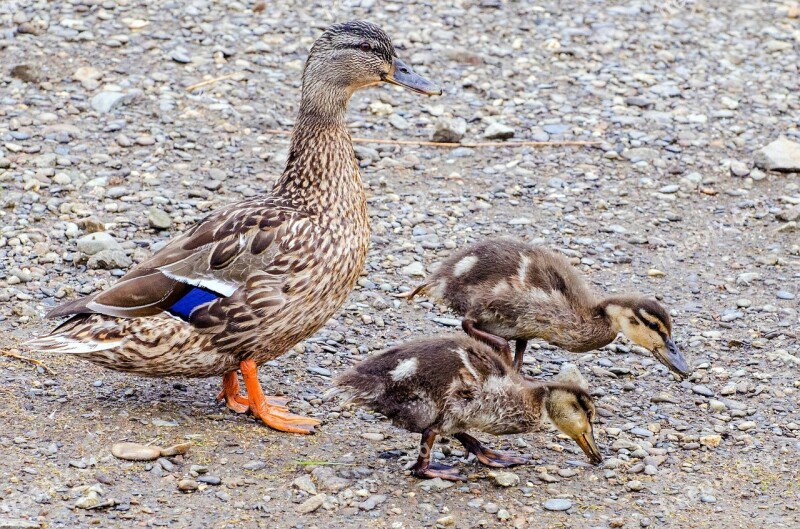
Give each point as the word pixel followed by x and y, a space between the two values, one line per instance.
pixel 452 384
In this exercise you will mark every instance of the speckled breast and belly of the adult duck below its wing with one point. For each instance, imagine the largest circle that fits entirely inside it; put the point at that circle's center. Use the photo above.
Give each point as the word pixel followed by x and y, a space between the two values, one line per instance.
pixel 330 258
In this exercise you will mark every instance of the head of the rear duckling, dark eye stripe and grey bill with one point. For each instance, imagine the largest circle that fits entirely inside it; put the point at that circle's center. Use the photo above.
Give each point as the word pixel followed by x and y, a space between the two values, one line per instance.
pixel 645 322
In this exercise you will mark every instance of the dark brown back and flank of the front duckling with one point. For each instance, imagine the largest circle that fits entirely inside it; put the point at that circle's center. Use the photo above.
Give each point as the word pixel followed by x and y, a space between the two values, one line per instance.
pixel 411 383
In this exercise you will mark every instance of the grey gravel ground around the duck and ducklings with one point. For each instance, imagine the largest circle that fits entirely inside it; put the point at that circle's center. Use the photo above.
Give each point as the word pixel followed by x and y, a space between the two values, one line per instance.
pixel 98 133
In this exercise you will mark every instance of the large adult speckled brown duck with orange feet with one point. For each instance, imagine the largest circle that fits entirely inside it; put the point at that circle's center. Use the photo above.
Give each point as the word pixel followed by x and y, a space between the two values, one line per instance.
pixel 253 279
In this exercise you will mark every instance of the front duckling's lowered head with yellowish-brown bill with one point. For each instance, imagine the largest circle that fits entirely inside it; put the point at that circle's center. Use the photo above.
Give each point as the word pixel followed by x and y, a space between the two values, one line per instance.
pixel 572 411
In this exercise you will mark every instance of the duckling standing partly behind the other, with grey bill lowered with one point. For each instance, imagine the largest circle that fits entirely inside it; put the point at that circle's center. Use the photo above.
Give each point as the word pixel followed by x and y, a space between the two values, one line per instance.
pixel 507 289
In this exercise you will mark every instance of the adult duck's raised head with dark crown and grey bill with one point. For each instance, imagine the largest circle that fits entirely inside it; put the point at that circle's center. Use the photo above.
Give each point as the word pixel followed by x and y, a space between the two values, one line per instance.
pixel 357 54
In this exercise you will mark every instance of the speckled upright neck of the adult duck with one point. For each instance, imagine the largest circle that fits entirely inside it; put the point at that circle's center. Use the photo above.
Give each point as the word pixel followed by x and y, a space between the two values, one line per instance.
pixel 321 171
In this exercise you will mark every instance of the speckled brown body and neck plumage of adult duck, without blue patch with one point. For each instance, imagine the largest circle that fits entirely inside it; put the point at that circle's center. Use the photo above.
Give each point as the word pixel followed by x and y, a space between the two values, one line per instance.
pixel 292 257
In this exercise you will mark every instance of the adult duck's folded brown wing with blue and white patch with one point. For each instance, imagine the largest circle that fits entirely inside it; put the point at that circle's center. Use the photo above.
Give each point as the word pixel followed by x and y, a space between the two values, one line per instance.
pixel 212 259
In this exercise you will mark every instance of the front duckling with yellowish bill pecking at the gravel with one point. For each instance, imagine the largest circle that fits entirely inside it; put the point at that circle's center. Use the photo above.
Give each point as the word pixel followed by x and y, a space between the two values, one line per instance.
pixel 448 385
